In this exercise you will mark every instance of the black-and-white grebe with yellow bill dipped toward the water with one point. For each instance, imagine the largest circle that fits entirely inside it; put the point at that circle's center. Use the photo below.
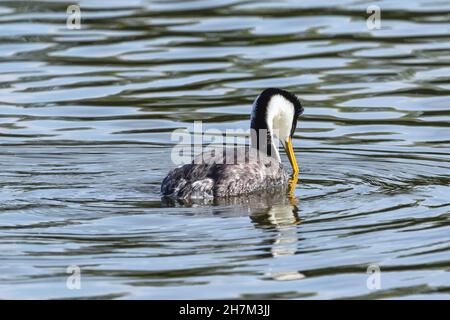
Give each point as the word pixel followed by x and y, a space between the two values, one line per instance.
pixel 212 175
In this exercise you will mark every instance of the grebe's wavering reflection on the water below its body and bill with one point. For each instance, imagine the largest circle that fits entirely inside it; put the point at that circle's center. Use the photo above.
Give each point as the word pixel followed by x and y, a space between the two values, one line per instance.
pixel 273 211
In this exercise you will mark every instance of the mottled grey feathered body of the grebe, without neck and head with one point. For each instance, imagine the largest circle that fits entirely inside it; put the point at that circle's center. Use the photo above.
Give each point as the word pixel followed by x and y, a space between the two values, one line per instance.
pixel 213 176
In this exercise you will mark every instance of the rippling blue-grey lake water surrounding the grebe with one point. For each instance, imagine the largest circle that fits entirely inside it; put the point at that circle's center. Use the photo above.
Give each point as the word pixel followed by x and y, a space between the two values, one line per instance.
pixel 85 123
